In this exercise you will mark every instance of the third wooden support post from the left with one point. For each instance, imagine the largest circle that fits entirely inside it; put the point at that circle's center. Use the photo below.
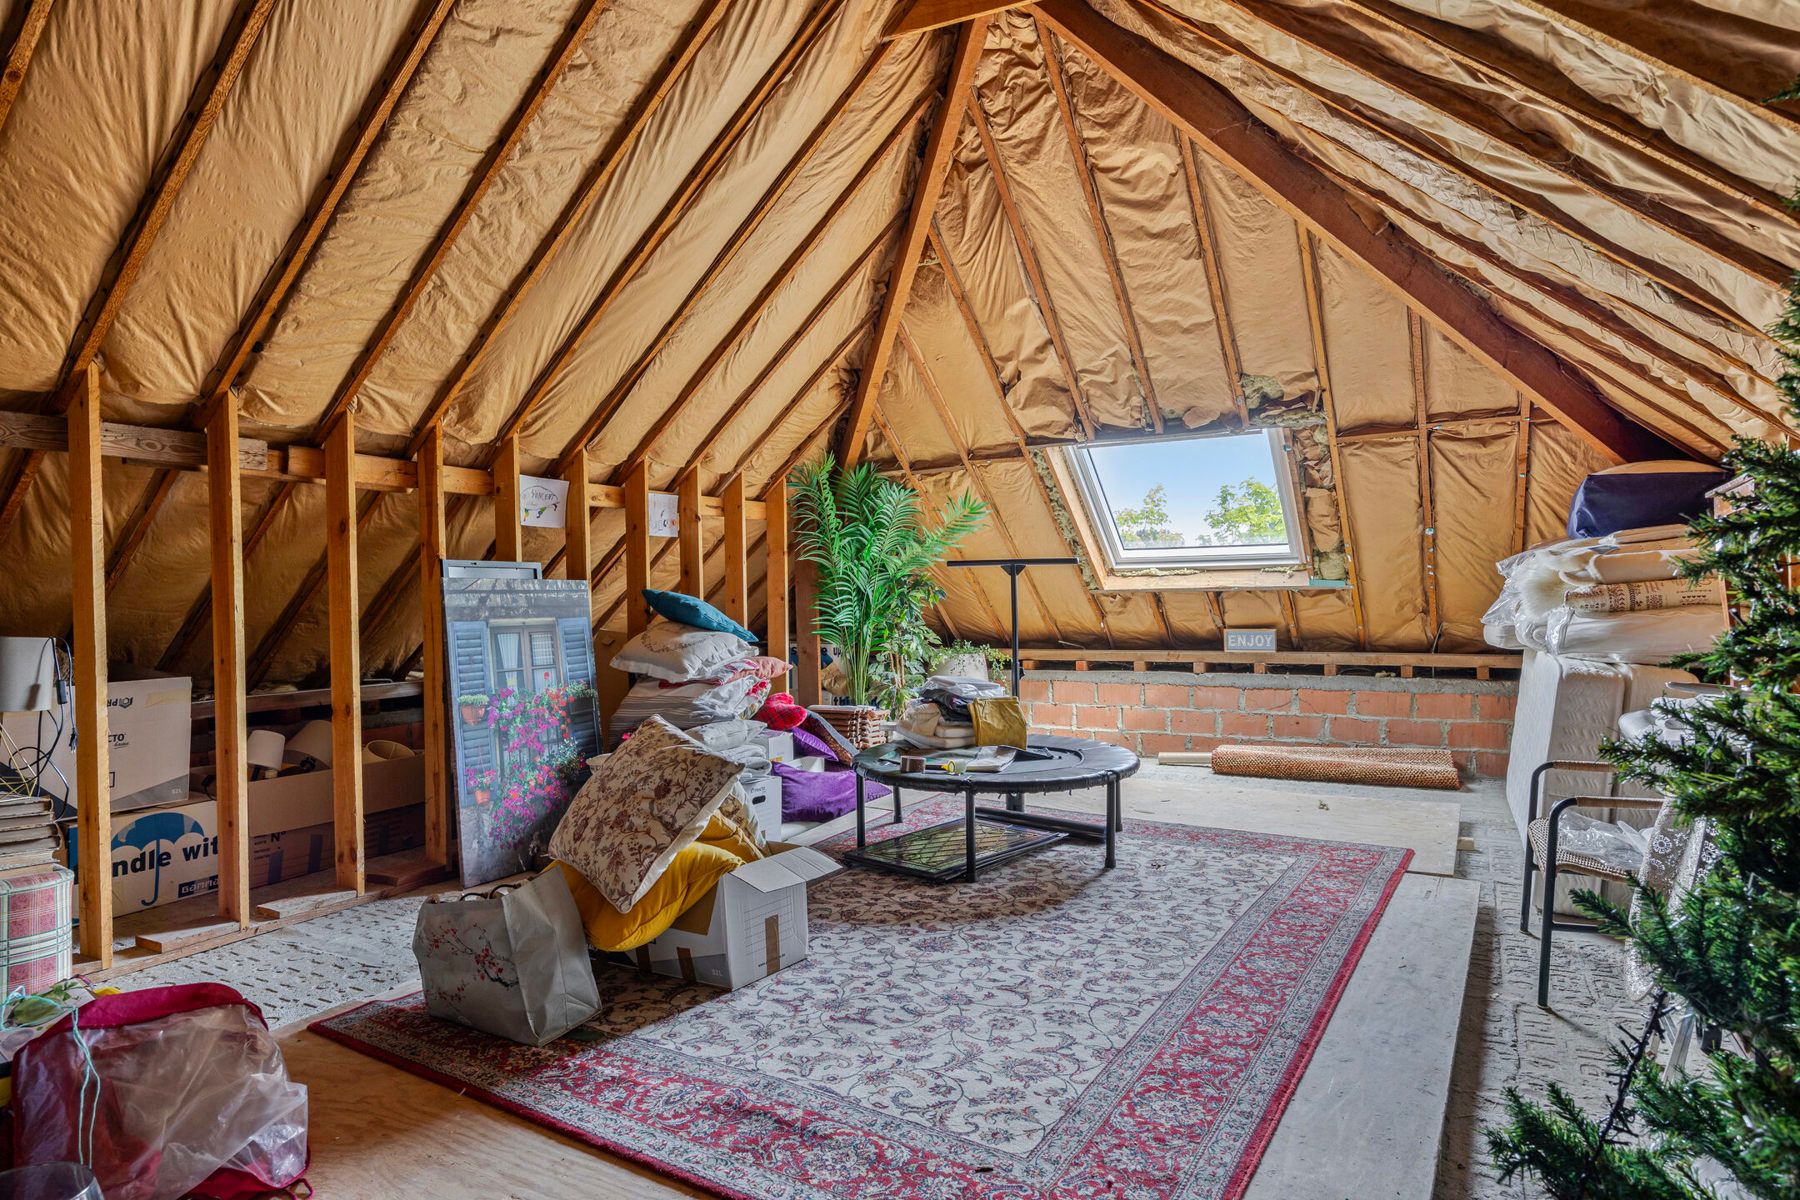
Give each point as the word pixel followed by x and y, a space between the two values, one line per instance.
pixel 346 650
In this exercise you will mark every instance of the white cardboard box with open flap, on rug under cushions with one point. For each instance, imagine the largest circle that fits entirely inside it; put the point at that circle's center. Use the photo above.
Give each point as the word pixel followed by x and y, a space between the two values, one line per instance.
pixel 750 926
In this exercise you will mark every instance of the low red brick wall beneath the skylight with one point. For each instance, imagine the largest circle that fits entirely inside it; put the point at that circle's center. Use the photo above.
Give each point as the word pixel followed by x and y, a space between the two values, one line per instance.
pixel 1155 712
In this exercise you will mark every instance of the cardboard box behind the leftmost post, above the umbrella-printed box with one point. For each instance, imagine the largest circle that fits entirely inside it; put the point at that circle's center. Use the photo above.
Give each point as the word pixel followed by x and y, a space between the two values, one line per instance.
pixel 150 730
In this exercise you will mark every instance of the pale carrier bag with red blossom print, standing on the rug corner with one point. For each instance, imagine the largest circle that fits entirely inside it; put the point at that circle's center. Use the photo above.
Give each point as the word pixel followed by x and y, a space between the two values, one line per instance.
pixel 512 962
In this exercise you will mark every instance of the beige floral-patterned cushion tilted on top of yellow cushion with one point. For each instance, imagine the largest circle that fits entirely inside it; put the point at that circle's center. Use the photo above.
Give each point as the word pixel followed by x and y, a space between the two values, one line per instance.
pixel 645 805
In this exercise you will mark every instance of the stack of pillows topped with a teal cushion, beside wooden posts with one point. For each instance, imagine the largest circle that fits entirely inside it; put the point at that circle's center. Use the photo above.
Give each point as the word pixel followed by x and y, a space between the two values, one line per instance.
pixel 699 667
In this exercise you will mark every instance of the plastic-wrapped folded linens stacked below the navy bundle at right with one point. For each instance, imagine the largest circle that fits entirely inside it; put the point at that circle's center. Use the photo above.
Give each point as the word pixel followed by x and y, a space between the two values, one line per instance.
pixel 1619 598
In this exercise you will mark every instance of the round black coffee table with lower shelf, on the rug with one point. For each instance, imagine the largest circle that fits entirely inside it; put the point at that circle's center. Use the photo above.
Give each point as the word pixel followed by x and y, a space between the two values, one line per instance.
pixel 1068 764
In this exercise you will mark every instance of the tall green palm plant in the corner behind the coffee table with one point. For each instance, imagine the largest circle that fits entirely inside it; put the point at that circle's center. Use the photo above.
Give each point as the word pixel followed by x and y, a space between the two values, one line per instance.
pixel 872 550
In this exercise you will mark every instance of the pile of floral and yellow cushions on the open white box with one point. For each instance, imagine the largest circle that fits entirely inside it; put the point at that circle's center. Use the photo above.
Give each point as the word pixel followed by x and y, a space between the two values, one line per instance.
pixel 649 836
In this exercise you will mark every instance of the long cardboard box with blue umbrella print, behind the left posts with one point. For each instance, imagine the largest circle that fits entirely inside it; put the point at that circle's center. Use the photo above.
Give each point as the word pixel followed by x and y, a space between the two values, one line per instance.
pixel 172 854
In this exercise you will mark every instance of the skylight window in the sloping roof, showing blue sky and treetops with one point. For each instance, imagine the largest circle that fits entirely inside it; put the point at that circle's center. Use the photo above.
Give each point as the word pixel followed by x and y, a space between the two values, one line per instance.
pixel 1192 501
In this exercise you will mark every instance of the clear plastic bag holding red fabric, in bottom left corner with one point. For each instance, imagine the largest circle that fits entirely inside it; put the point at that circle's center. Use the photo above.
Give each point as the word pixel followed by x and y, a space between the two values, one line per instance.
pixel 163 1093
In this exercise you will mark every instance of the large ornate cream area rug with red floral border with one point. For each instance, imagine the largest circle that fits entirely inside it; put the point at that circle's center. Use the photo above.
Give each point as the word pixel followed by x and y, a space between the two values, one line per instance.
pixel 1050 1032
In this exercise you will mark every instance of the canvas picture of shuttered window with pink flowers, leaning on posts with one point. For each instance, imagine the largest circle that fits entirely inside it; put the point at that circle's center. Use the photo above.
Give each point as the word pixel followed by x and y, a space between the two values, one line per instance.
pixel 521 668
